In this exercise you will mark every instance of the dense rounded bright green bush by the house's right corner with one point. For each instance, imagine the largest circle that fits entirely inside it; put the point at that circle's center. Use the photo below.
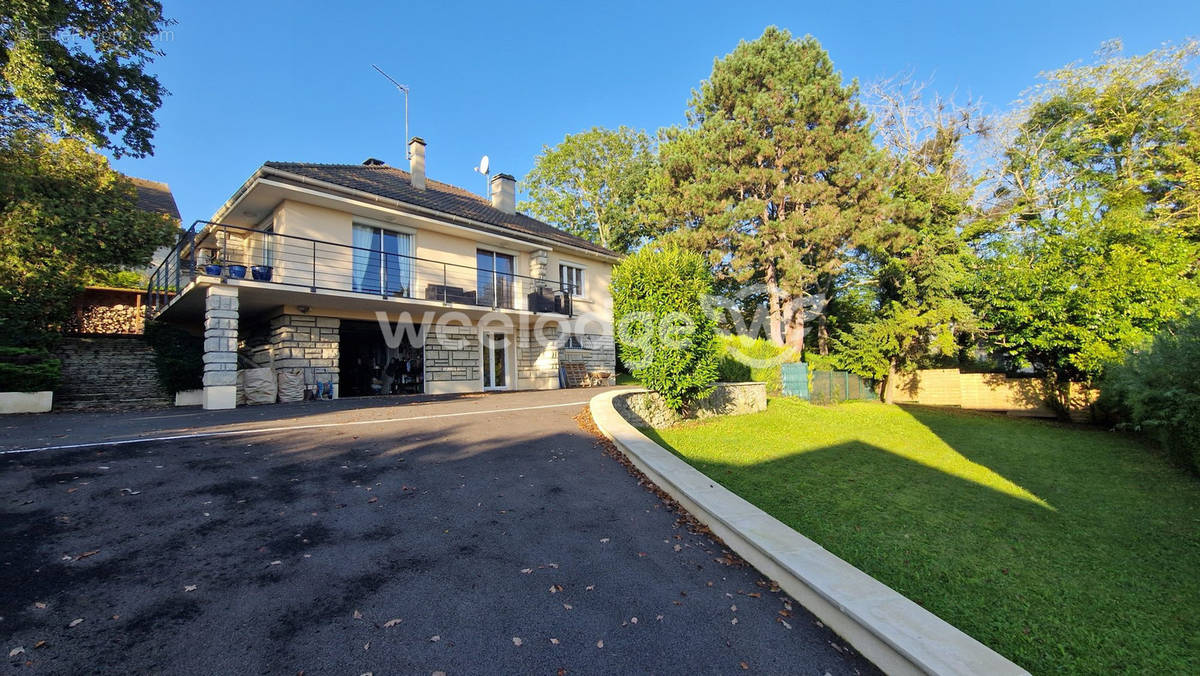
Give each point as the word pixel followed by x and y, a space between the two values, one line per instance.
pixel 664 333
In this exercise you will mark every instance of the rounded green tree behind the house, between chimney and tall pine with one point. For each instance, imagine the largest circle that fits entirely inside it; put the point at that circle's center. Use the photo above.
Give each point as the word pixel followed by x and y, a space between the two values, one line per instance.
pixel 593 186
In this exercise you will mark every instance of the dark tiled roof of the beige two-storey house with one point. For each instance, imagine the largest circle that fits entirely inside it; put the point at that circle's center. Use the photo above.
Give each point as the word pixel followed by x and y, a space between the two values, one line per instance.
pixel 394 184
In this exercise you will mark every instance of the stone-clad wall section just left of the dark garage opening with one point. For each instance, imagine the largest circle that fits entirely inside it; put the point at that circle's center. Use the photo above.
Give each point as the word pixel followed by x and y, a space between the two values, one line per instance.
pixel 311 344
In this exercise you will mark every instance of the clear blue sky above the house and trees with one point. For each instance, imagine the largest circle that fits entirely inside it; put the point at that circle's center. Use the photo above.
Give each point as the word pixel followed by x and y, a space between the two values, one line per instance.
pixel 293 82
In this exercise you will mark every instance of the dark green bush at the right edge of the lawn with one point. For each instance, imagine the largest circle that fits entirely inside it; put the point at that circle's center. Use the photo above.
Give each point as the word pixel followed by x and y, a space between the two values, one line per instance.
pixel 1157 391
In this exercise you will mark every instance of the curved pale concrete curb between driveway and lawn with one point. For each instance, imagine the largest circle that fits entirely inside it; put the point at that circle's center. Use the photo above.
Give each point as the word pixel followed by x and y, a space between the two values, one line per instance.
pixel 891 631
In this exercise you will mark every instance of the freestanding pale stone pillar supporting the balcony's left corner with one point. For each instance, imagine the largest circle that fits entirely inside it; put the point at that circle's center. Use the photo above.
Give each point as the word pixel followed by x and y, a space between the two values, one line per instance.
pixel 221 348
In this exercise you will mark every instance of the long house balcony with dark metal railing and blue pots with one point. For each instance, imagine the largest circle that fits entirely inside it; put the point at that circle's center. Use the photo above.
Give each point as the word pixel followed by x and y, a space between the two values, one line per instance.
pixel 381 270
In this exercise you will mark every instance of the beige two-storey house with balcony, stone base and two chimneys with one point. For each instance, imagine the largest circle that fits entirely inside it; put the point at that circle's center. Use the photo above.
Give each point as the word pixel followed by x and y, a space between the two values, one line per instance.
pixel 382 282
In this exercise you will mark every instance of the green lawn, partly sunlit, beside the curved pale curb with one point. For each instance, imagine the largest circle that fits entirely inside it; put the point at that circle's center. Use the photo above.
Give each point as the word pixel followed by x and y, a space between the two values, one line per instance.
pixel 1063 548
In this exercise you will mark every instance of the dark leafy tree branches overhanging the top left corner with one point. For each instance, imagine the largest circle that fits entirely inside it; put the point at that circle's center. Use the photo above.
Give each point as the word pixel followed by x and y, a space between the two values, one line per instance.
pixel 79 68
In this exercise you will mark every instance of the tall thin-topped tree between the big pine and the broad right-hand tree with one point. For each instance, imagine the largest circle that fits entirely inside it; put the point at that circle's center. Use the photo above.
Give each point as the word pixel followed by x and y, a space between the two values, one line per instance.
pixel 917 260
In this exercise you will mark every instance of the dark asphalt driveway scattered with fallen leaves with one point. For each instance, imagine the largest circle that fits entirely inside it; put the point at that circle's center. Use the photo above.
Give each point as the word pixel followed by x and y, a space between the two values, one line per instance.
pixel 475 535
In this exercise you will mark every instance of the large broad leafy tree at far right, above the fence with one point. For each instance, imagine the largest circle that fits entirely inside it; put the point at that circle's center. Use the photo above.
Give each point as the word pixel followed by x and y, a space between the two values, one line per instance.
pixel 1085 258
